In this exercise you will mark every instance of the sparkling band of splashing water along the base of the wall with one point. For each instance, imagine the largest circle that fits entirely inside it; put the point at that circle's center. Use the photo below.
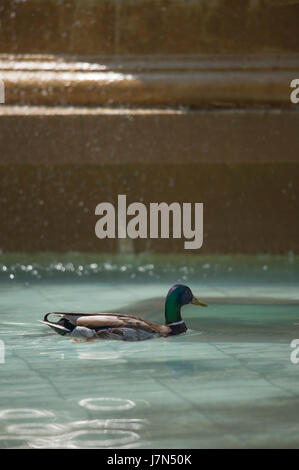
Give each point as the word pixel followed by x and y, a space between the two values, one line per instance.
pixel 146 267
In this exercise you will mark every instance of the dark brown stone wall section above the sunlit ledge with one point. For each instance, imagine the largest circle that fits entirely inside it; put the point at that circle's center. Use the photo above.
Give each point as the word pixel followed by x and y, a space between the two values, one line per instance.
pixel 148 26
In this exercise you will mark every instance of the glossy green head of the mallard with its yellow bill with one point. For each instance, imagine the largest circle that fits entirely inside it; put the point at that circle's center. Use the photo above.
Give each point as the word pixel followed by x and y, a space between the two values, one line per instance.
pixel 179 295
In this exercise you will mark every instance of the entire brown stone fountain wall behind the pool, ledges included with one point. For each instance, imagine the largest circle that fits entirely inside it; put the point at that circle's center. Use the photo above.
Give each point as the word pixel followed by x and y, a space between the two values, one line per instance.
pixel 169 100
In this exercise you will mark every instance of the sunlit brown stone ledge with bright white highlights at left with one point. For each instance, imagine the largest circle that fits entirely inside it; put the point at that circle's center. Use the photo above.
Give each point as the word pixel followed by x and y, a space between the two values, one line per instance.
pixel 196 81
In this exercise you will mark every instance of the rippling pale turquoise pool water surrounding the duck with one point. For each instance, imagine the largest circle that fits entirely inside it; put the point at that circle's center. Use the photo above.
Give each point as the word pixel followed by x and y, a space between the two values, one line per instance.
pixel 227 382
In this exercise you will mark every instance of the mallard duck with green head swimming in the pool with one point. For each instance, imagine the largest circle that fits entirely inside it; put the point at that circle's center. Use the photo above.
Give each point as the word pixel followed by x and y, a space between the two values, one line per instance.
pixel 126 327
